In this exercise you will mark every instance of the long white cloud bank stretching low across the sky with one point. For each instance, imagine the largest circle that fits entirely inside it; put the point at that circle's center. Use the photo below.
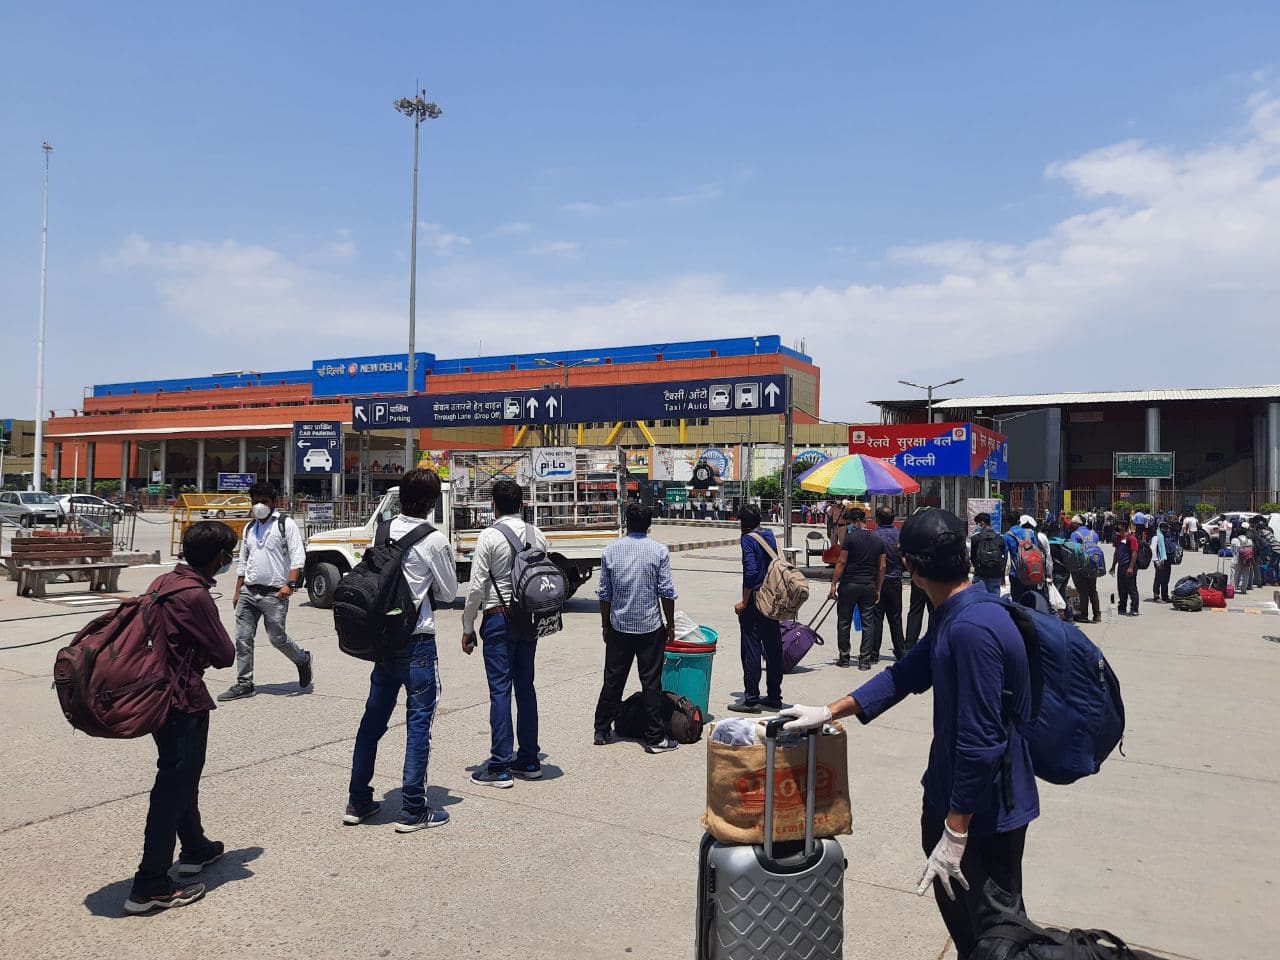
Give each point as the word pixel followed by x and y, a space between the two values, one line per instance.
pixel 1169 254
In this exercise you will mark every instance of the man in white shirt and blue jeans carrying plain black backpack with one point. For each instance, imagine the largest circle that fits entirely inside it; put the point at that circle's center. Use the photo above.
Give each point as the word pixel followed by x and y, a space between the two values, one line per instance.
pixel 431 573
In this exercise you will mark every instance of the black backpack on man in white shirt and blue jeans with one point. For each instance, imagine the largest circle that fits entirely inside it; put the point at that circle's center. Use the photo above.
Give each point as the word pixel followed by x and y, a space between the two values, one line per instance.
pixel 373 609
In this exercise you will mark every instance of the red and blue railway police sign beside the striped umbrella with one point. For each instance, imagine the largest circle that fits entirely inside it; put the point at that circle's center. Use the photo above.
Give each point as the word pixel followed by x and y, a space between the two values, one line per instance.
pixel 935 450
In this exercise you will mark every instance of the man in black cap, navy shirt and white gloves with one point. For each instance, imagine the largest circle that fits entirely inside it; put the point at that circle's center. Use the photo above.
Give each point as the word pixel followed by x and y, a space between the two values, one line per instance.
pixel 980 788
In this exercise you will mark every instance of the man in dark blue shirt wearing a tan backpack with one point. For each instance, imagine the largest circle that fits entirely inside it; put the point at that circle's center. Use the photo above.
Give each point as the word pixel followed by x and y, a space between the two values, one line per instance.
pixel 762 637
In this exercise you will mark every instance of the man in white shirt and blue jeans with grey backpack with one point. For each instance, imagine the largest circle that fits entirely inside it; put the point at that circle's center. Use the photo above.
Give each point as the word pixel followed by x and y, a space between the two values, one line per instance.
pixel 509 657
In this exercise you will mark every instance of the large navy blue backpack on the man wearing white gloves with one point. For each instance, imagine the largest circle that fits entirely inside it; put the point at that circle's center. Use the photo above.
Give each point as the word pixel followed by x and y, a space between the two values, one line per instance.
pixel 1077 716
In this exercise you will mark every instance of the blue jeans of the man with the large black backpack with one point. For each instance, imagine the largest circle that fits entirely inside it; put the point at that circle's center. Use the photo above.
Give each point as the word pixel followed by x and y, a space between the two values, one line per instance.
pixel 418 673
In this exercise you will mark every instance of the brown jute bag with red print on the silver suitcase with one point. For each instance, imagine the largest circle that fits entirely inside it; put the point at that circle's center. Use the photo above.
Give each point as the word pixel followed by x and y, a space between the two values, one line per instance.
pixel 735 789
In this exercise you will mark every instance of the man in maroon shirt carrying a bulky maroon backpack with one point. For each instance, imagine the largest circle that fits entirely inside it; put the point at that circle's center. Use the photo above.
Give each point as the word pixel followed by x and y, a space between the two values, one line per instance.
pixel 196 641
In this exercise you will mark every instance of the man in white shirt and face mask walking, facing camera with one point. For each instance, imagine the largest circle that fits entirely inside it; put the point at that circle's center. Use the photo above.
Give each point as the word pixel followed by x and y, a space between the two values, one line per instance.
pixel 271 566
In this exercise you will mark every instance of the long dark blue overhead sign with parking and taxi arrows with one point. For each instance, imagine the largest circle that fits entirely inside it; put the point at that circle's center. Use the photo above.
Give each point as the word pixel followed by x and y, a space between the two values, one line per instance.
pixel 740 396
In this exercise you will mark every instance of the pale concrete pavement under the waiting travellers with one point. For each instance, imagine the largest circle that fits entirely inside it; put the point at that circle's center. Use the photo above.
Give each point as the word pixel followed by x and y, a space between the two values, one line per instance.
pixel 1172 847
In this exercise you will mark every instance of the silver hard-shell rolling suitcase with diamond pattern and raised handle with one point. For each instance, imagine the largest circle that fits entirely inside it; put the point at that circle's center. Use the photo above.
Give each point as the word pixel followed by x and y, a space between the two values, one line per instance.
pixel 778 902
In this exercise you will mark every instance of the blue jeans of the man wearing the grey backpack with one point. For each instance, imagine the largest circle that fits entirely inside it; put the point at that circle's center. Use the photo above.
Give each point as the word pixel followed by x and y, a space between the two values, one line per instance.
pixel 509 664
